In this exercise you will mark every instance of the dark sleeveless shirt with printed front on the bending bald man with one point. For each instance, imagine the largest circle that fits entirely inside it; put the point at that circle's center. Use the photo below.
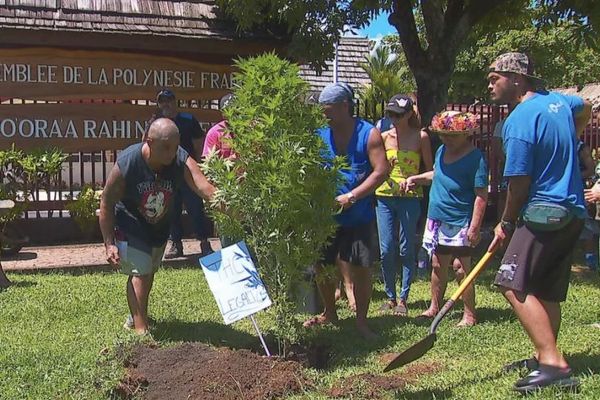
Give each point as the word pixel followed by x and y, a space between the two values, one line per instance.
pixel 146 207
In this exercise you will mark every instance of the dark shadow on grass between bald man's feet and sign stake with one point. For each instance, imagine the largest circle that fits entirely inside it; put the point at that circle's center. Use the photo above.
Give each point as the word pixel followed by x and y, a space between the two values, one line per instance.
pixel 208 332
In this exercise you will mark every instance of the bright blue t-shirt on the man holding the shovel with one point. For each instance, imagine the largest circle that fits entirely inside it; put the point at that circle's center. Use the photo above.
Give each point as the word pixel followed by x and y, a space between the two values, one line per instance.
pixel 540 142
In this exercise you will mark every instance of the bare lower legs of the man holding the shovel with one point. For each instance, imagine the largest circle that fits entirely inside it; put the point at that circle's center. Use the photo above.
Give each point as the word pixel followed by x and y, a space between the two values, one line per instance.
pixel 539 319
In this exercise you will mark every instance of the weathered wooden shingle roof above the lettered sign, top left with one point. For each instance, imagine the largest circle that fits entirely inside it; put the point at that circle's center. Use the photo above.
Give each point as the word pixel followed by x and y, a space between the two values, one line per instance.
pixel 125 23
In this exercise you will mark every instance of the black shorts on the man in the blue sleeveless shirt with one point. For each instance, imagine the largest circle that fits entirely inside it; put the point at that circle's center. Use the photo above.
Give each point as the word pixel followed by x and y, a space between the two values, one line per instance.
pixel 357 245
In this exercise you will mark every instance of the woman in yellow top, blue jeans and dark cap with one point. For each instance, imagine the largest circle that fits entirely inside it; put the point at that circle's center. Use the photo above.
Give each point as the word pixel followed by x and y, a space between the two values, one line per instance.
pixel 398 210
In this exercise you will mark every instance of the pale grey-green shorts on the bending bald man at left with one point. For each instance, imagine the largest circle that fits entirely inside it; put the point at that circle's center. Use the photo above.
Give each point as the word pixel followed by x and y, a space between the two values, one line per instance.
pixel 137 257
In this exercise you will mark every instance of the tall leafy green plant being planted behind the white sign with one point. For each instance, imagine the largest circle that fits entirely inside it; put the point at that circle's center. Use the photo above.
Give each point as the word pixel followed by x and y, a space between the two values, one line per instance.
pixel 277 194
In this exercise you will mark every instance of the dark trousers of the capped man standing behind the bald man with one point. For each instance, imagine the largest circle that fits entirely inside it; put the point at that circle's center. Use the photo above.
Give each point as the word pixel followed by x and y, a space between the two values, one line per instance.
pixel 194 206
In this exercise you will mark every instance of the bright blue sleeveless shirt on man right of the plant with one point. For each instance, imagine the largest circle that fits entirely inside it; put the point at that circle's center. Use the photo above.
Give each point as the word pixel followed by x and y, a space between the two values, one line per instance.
pixel 359 168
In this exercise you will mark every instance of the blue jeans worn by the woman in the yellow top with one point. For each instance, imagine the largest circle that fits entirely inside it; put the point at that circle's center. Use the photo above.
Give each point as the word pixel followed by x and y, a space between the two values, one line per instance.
pixel 397 219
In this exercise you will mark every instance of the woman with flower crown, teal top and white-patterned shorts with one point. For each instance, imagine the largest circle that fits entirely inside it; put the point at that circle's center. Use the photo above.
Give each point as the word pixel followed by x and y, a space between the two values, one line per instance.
pixel 457 203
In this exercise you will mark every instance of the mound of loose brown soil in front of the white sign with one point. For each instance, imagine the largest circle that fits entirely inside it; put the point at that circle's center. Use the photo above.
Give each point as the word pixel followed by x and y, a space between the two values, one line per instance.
pixel 197 371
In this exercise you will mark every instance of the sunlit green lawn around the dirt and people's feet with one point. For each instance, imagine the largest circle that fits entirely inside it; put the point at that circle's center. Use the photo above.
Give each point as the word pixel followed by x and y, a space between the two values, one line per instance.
pixel 60 333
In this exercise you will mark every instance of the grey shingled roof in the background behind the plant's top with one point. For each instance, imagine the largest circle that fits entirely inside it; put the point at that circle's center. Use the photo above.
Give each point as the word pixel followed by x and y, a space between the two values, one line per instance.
pixel 351 52
